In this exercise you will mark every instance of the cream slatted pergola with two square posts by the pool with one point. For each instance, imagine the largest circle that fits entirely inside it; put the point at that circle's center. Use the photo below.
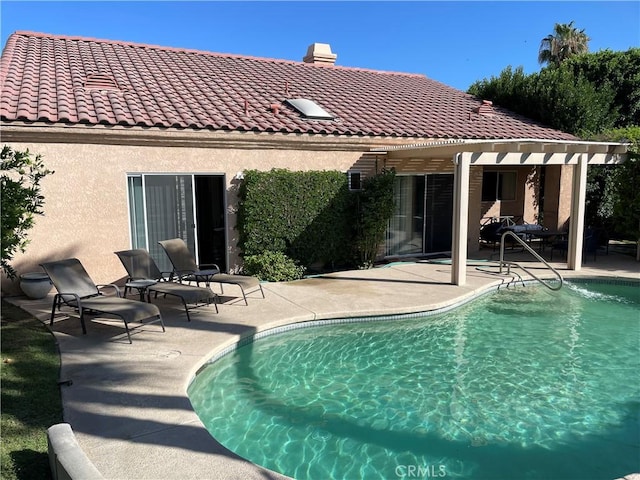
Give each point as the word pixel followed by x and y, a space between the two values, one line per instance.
pixel 512 152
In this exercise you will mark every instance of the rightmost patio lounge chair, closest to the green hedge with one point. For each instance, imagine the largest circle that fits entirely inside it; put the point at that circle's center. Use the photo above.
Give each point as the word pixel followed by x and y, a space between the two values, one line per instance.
pixel 186 269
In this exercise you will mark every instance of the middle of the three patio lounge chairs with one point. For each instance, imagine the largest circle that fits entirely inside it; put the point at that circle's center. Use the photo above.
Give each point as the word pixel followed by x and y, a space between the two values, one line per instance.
pixel 141 268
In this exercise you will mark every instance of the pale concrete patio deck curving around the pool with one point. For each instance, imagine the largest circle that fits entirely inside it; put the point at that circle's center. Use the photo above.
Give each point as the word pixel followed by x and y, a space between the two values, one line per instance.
pixel 127 403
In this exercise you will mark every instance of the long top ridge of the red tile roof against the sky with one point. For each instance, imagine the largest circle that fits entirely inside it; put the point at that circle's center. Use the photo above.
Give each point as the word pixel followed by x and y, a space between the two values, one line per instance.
pixel 207 52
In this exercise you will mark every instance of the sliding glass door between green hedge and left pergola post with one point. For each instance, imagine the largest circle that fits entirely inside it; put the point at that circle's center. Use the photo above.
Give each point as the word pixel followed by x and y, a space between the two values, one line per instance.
pixel 422 220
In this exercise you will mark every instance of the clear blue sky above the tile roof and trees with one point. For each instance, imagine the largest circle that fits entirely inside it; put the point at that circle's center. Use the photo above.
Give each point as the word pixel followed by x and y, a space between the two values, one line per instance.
pixel 456 43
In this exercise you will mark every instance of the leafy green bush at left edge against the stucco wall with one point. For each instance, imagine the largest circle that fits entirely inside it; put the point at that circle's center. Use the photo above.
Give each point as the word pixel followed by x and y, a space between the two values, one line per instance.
pixel 21 201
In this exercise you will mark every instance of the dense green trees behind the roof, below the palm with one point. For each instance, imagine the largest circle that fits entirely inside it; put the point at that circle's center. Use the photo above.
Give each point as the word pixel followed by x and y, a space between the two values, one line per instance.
pixel 586 95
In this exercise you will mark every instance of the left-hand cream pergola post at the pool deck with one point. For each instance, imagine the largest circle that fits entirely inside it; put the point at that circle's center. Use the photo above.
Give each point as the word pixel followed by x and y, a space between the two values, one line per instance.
pixel 460 219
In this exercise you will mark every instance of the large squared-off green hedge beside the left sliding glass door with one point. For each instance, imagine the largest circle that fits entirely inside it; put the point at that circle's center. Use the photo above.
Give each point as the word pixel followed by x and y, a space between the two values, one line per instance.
pixel 306 215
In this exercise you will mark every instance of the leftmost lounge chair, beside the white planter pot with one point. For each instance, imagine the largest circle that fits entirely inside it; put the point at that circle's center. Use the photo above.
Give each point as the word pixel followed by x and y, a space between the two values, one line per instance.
pixel 76 289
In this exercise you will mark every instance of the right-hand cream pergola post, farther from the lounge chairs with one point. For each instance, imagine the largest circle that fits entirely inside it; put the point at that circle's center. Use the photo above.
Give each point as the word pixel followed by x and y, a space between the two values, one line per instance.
pixel 576 225
